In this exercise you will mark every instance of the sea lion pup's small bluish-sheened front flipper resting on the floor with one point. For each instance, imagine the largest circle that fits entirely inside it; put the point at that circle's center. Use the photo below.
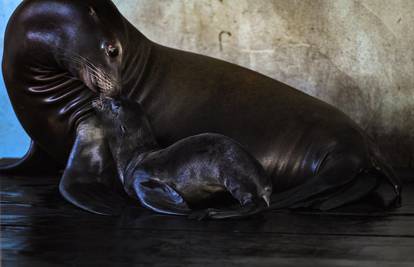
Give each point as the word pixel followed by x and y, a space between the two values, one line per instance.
pixel 160 197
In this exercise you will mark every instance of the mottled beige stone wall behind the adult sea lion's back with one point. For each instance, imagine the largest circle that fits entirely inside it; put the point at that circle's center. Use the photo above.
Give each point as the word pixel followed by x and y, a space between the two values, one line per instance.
pixel 356 55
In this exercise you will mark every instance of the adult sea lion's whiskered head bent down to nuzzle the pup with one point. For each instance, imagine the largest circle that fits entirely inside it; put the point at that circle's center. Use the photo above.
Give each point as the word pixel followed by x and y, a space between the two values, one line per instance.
pixel 86 38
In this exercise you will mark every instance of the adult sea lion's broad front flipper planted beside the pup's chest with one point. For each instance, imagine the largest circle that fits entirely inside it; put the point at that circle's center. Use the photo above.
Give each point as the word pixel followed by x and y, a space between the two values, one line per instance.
pixel 90 180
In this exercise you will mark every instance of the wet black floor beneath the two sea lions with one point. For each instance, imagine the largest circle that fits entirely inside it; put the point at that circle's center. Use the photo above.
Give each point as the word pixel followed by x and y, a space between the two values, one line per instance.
pixel 38 228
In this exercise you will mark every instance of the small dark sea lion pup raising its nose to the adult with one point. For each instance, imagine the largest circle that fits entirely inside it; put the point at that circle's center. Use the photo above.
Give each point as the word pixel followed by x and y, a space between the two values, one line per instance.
pixel 190 177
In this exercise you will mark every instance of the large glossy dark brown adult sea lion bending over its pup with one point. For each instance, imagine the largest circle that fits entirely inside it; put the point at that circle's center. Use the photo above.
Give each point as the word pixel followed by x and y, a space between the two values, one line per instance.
pixel 58 52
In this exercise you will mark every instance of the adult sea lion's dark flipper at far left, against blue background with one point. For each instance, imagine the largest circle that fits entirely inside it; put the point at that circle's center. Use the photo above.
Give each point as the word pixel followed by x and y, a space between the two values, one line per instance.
pixel 35 162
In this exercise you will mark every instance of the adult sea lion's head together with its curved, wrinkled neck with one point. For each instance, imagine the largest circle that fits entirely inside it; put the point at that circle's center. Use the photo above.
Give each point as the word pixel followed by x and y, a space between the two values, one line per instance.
pixel 61 53
